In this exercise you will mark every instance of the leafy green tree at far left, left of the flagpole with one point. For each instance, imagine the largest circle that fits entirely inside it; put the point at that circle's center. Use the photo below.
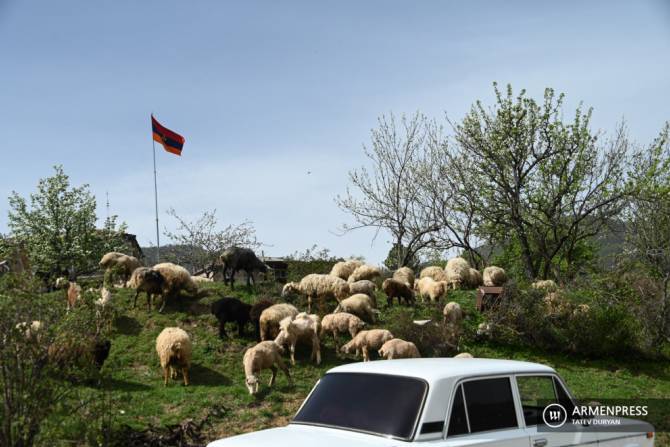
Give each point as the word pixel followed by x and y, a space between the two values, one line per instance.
pixel 57 227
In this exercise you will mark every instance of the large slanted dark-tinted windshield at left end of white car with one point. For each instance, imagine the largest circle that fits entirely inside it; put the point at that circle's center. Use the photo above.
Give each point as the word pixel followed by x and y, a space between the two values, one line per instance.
pixel 374 403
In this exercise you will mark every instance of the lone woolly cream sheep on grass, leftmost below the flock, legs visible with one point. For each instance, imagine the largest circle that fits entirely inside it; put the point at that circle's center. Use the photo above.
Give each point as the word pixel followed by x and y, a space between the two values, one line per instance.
pixel 173 346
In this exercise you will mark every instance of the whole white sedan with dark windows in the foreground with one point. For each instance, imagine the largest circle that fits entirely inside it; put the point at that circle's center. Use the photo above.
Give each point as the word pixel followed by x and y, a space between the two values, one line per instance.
pixel 442 402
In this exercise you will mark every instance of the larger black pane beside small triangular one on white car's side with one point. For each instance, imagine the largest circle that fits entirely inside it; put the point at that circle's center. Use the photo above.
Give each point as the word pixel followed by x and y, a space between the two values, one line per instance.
pixel 489 404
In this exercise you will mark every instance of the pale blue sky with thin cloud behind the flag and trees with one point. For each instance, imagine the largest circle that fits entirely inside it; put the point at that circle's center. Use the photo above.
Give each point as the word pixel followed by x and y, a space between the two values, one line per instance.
pixel 265 91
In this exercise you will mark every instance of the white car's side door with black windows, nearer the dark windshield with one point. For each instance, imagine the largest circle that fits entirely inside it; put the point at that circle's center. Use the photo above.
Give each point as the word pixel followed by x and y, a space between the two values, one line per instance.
pixel 483 413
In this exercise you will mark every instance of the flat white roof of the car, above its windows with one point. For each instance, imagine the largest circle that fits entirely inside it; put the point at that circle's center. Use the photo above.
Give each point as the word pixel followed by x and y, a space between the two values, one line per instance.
pixel 433 369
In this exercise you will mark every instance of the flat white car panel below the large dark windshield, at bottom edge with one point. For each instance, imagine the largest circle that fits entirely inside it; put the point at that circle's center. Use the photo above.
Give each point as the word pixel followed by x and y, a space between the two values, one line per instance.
pixel 296 435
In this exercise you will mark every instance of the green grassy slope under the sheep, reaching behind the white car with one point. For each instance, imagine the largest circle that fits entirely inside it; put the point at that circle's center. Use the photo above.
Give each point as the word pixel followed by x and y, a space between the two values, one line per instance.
pixel 139 399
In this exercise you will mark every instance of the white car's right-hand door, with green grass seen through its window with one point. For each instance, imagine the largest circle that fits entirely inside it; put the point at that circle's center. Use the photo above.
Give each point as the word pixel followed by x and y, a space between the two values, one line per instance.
pixel 539 391
